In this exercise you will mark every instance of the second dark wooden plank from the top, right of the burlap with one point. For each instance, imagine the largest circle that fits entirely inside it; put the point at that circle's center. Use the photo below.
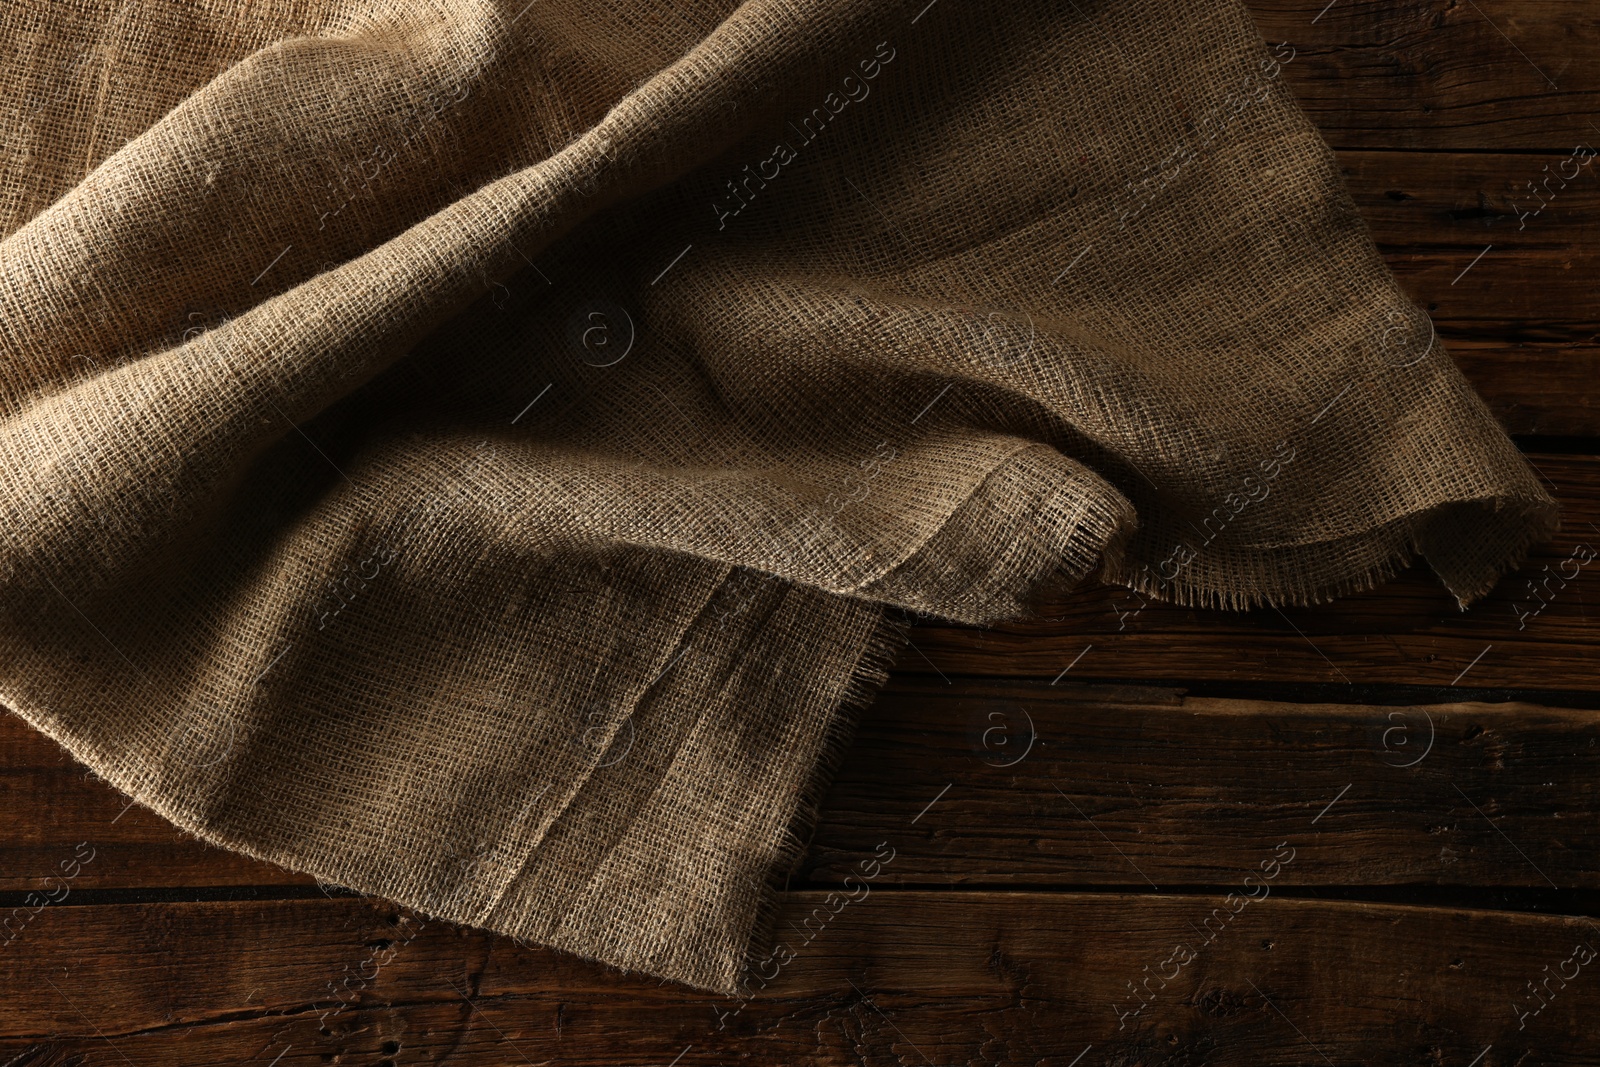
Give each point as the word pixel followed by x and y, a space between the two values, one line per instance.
pixel 1502 250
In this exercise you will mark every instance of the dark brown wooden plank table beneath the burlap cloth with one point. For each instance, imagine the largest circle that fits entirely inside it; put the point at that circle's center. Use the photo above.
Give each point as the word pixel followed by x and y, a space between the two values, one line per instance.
pixel 1359 834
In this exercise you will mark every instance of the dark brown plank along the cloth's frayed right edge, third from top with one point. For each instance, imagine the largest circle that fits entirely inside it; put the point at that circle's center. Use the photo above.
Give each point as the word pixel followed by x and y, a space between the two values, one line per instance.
pixel 1406 633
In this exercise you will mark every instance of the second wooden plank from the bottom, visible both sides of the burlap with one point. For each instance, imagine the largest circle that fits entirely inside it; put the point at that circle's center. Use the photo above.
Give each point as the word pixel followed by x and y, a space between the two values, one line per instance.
pixel 1038 785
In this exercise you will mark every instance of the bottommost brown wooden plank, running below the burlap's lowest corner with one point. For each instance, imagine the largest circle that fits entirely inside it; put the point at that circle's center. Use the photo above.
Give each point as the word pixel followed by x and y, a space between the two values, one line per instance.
pixel 890 978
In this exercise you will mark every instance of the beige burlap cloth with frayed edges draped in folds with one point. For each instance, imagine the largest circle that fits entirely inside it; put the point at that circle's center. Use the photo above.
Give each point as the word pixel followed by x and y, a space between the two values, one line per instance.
pixel 465 450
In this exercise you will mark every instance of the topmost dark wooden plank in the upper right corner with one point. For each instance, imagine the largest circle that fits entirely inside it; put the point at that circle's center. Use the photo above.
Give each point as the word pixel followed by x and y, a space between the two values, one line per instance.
pixel 1415 74
